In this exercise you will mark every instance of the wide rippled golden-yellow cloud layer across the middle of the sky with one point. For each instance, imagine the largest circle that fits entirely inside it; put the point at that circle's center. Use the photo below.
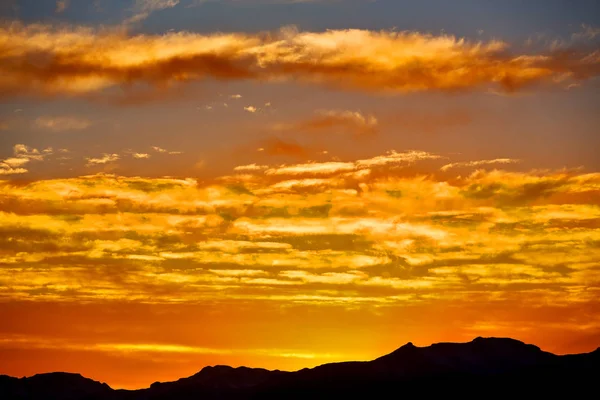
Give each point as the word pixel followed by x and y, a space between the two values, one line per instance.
pixel 314 233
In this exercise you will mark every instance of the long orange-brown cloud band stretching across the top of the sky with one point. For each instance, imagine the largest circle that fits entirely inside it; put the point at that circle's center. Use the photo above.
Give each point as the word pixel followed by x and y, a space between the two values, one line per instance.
pixel 82 61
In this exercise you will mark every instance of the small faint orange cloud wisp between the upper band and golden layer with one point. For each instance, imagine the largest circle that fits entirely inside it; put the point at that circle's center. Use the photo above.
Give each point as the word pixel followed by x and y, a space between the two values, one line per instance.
pixel 345 121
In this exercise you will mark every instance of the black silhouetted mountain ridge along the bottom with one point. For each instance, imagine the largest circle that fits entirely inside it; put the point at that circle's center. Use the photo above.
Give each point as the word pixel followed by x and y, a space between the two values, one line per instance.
pixel 481 368
